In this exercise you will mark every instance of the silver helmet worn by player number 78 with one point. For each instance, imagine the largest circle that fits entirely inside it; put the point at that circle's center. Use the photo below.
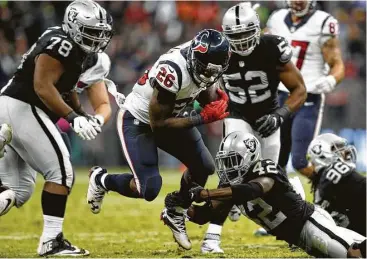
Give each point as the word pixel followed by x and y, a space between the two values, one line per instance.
pixel 88 24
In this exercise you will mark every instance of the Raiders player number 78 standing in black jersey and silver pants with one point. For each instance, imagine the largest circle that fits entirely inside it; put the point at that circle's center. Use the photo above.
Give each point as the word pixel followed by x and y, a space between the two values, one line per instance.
pixel 41 92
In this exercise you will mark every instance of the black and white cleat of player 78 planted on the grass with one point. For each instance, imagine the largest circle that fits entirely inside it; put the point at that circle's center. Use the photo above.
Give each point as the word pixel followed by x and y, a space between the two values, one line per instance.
pixel 60 247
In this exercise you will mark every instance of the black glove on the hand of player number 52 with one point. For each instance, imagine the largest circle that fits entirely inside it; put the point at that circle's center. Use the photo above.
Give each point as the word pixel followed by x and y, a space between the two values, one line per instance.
pixel 269 123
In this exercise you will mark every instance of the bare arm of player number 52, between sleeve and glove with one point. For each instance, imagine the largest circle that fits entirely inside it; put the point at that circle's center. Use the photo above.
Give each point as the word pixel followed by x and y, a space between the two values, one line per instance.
pixel 291 77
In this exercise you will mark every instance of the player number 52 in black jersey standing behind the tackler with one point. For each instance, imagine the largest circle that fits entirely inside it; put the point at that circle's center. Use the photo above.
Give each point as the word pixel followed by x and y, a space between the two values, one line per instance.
pixel 257 66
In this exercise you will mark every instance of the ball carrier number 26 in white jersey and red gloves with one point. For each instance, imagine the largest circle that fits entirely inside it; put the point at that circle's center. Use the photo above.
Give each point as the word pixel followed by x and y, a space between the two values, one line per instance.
pixel 150 118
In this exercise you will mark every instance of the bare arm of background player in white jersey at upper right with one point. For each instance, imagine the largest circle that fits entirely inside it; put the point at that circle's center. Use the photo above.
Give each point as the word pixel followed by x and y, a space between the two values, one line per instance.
pixel 332 56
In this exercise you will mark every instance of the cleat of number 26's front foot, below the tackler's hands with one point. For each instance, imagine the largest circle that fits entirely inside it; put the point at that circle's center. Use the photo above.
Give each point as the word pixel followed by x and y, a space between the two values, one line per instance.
pixel 175 220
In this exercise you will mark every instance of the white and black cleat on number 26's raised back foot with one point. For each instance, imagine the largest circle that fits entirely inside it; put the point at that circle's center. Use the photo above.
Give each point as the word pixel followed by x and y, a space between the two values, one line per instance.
pixel 95 192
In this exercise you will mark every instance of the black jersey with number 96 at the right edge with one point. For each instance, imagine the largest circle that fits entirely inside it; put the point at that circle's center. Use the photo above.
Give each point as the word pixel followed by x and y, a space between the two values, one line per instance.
pixel 340 189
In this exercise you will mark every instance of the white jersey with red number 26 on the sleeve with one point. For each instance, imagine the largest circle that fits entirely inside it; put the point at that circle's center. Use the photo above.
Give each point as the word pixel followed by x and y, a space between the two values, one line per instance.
pixel 171 73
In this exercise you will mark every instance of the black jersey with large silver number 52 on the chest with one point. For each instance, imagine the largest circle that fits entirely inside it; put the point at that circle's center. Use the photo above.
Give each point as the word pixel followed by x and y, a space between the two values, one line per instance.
pixel 252 81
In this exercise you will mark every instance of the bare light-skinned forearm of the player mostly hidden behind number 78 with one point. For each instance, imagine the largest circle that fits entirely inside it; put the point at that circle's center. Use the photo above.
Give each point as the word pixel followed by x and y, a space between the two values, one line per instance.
pixel 98 97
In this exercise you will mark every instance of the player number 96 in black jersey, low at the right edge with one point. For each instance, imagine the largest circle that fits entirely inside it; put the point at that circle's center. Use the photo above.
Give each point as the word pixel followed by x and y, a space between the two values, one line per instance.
pixel 337 186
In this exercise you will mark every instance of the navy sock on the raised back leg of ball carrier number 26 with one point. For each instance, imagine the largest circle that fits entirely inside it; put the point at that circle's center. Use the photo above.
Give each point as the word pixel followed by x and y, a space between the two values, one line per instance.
pixel 119 183
